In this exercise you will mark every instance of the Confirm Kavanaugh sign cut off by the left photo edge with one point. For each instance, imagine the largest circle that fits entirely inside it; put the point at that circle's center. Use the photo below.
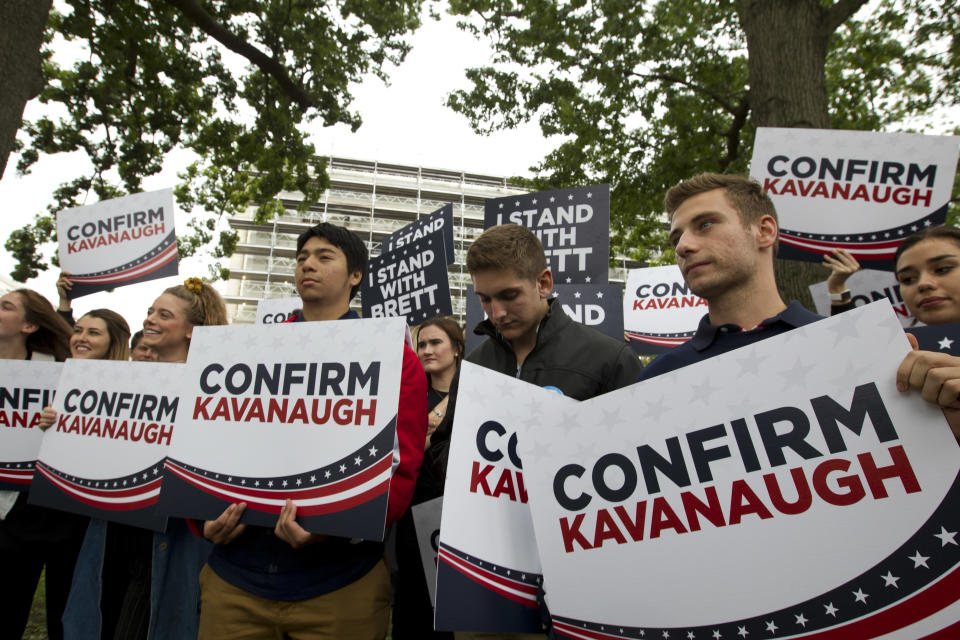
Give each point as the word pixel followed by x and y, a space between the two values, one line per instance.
pixel 26 387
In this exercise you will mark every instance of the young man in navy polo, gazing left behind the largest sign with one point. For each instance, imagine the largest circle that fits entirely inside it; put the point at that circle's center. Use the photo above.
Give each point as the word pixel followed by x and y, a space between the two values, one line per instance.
pixel 724 231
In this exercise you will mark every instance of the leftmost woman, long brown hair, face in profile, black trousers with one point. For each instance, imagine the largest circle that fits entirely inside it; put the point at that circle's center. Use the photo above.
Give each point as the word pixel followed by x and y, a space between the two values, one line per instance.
pixel 31 537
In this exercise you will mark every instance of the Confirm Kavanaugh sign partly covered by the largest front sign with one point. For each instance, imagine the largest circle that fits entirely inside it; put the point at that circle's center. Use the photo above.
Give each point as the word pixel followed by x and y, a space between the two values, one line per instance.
pixel 488 554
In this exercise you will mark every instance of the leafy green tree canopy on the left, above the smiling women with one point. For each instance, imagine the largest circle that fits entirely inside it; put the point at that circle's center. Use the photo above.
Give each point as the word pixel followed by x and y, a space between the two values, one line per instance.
pixel 232 81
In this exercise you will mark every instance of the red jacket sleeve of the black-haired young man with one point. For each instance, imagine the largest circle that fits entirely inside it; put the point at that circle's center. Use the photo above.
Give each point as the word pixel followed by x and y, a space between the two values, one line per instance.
pixel 411 434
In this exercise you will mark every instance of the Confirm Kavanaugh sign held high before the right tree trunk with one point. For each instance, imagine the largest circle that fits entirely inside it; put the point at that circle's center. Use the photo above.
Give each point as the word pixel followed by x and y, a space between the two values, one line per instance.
pixel 864 191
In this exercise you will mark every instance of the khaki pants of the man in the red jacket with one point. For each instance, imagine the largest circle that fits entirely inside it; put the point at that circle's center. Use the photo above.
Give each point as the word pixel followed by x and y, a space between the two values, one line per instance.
pixel 358 611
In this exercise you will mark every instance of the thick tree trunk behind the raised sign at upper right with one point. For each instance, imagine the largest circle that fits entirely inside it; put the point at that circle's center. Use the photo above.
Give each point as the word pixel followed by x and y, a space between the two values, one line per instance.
pixel 787 50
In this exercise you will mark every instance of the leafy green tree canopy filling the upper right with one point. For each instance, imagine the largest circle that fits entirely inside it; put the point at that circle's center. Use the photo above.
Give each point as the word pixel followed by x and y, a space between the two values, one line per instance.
pixel 645 94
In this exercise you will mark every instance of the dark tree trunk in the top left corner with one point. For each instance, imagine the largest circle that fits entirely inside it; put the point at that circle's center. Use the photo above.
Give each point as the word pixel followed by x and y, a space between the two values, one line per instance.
pixel 22 23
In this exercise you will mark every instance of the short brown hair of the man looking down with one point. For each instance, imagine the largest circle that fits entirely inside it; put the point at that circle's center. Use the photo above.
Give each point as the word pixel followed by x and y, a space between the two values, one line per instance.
pixel 507 246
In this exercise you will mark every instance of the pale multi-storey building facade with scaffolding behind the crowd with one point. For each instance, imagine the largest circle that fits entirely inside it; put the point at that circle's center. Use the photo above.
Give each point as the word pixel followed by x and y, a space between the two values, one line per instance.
pixel 373 199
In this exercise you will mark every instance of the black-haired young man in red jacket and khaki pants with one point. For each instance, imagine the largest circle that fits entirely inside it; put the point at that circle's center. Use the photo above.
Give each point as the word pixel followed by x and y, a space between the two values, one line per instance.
pixel 286 582
